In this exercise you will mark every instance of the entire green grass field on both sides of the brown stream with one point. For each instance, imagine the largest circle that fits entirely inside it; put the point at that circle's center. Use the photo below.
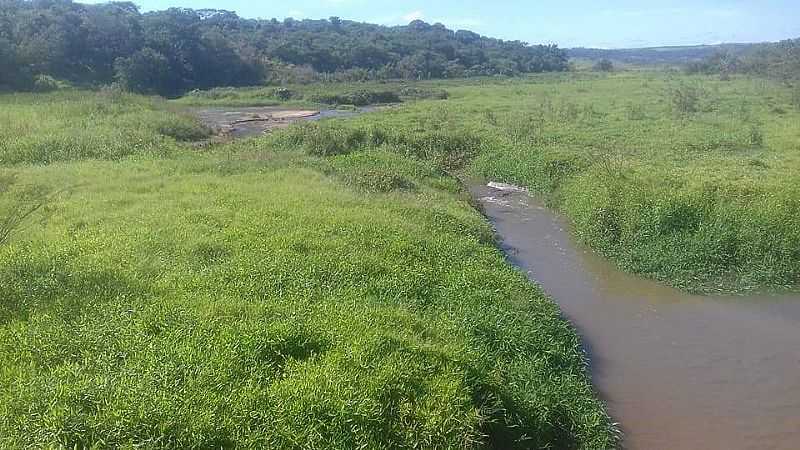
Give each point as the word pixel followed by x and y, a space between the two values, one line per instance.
pixel 331 286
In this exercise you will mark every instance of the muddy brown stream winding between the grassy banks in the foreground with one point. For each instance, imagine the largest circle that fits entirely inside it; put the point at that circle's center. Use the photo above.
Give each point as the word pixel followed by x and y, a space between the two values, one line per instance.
pixel 677 371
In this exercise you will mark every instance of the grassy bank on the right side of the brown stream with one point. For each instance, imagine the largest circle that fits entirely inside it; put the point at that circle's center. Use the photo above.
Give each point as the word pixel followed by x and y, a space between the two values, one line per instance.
pixel 690 180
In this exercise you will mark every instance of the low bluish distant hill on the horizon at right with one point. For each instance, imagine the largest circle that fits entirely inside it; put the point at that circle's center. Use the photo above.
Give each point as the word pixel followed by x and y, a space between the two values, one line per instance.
pixel 659 55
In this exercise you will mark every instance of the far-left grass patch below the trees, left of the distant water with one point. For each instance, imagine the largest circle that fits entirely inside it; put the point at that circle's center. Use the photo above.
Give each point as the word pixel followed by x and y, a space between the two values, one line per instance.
pixel 74 125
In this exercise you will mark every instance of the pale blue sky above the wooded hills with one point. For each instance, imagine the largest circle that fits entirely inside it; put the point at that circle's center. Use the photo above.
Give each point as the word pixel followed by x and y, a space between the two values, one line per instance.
pixel 568 23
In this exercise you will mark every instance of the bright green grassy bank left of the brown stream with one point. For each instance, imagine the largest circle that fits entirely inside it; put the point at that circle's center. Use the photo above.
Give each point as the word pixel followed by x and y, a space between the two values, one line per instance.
pixel 267 295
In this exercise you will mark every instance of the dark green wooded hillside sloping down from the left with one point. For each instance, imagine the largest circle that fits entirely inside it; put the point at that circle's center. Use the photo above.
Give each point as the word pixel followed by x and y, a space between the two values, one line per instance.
pixel 172 51
